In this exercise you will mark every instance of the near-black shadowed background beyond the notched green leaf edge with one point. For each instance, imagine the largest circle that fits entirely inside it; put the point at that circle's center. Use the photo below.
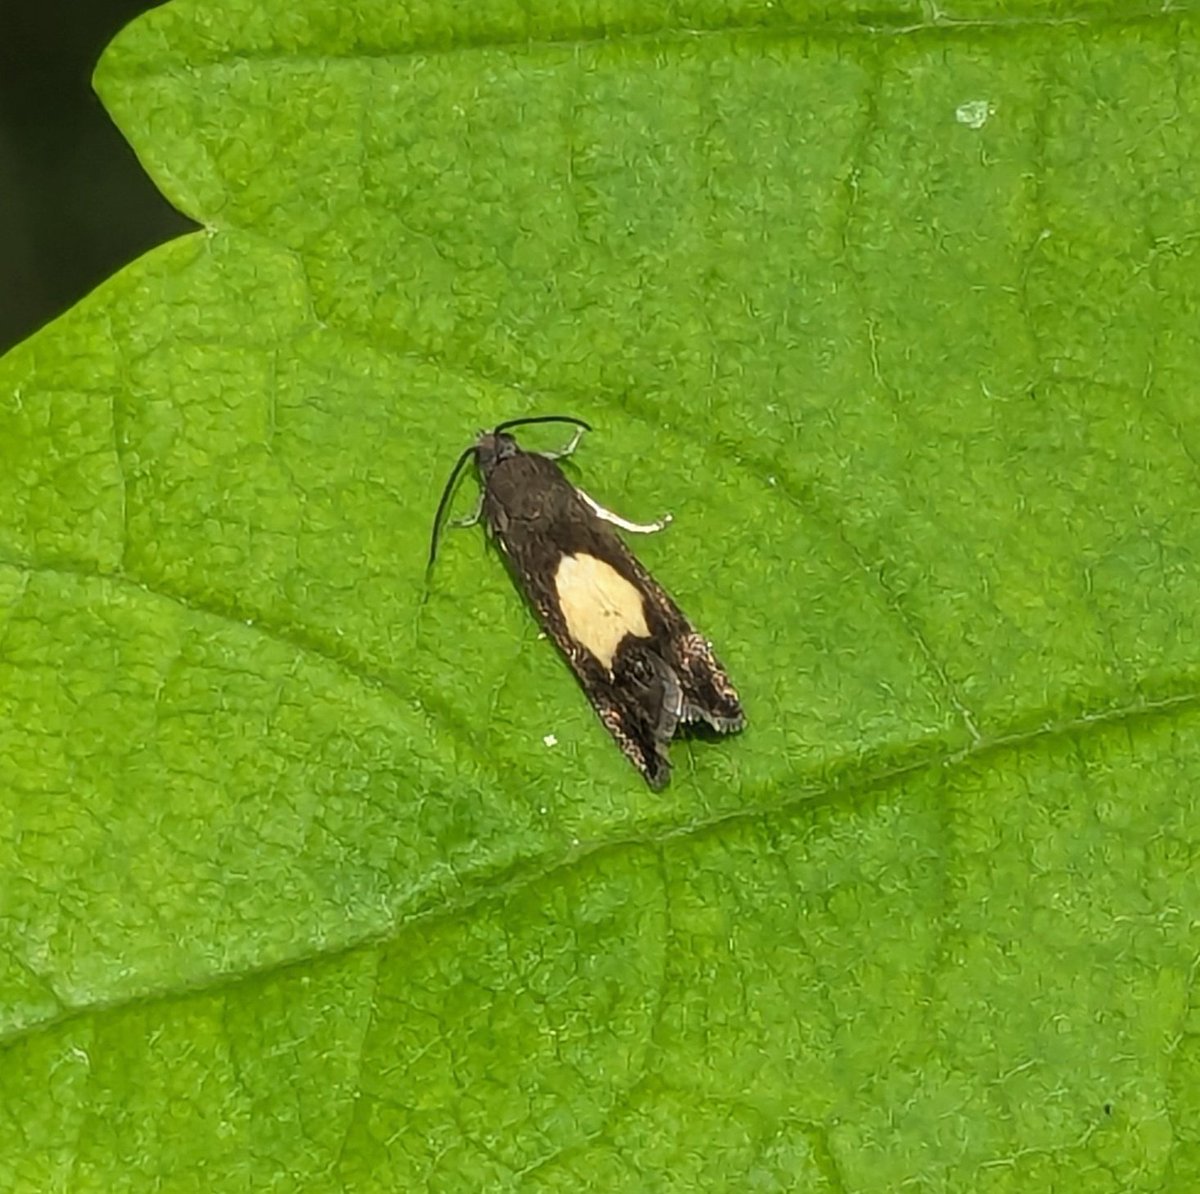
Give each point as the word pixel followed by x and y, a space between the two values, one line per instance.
pixel 75 205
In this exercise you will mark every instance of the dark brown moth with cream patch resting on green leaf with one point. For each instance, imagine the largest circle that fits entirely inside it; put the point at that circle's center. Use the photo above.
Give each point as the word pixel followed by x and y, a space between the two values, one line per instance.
pixel 644 667
